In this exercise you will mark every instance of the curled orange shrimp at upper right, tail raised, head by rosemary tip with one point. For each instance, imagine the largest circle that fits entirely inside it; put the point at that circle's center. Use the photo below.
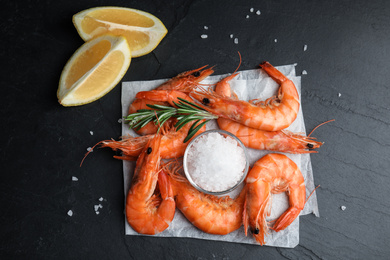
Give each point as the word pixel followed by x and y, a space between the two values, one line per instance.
pixel 276 113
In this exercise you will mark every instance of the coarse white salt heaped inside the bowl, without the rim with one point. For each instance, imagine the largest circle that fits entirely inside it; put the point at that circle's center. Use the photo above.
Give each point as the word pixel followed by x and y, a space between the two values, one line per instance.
pixel 219 168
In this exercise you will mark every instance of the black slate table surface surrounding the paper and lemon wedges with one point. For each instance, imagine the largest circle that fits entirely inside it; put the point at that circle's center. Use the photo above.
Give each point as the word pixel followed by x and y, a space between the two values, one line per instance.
pixel 42 143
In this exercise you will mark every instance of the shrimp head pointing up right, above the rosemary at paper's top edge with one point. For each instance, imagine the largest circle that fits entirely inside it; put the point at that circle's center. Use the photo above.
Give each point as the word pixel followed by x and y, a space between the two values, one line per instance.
pixel 187 81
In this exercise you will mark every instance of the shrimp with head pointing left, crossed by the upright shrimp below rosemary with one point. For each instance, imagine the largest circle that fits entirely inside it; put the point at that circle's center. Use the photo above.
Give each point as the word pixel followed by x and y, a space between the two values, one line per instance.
pixel 172 143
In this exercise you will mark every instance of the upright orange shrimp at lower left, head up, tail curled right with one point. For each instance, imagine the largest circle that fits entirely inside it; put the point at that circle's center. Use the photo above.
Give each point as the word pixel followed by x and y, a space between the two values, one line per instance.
pixel 146 213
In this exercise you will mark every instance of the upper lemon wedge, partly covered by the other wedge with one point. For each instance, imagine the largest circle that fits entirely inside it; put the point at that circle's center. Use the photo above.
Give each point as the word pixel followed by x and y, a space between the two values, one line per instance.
pixel 142 30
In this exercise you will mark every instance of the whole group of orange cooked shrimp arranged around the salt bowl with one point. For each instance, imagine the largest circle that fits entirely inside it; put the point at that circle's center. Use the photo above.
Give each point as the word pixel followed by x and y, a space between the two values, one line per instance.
pixel 158 187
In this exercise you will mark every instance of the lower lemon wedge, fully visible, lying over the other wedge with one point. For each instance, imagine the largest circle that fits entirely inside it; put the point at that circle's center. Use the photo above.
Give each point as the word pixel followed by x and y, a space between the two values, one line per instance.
pixel 93 70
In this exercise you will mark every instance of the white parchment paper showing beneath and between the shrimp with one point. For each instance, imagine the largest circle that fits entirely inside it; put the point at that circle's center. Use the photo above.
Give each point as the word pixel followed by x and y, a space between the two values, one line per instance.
pixel 248 84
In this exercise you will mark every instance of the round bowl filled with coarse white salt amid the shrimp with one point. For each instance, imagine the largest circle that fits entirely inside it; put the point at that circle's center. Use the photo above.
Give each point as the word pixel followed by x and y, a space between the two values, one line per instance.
pixel 215 162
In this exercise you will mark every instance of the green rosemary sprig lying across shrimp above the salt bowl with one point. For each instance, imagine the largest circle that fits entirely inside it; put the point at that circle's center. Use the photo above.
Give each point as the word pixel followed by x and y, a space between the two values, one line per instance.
pixel 185 112
